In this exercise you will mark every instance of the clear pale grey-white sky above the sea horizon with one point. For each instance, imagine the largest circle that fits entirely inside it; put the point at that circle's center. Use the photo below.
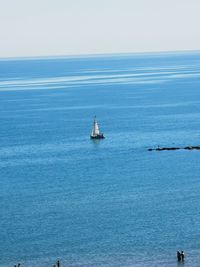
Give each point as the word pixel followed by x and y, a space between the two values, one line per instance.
pixel 70 27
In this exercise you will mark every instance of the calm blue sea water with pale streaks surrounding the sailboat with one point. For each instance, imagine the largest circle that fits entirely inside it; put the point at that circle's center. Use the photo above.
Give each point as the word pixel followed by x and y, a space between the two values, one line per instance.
pixel 100 203
